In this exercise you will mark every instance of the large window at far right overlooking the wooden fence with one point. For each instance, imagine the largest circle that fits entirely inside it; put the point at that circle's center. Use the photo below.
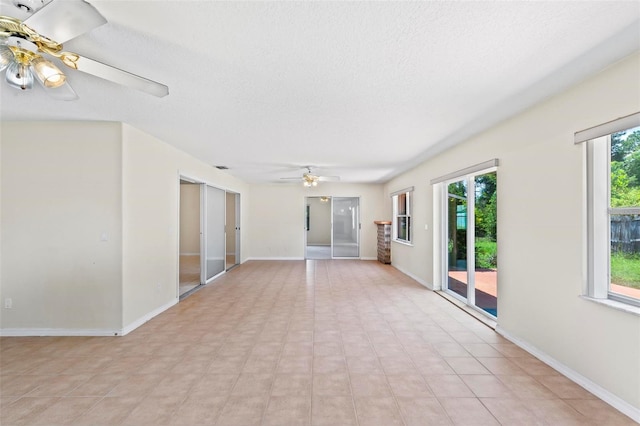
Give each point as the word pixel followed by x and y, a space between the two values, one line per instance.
pixel 613 173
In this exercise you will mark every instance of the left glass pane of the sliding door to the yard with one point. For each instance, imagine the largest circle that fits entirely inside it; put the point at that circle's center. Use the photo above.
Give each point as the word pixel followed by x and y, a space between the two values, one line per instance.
pixel 457 238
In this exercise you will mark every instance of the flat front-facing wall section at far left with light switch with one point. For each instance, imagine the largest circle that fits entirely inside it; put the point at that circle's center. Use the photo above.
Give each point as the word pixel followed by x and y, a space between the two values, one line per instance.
pixel 61 227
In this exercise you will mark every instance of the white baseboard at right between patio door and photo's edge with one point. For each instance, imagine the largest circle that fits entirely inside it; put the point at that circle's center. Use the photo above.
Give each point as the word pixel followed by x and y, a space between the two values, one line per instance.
pixel 608 397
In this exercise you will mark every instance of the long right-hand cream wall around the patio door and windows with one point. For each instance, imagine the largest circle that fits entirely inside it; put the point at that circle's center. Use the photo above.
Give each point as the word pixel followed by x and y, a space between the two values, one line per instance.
pixel 541 231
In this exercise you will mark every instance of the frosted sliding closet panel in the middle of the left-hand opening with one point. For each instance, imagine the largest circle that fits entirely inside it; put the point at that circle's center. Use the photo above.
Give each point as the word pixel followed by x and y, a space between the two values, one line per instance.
pixel 215 240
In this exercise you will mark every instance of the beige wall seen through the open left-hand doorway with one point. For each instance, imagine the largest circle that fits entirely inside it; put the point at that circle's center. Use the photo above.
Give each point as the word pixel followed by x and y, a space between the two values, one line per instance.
pixel 189 219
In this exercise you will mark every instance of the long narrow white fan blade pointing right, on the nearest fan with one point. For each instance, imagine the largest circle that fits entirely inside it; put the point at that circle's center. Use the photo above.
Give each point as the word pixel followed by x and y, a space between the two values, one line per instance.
pixel 114 74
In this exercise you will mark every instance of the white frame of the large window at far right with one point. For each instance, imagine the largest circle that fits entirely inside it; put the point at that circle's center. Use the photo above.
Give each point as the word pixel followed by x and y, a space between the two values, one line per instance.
pixel 599 213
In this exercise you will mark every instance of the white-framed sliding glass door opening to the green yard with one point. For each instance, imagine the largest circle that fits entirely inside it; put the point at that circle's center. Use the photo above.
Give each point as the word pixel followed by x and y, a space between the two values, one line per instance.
pixel 471 240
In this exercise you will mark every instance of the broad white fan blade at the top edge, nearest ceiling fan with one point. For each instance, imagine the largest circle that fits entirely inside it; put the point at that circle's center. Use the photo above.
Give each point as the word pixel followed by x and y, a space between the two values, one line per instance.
pixel 62 20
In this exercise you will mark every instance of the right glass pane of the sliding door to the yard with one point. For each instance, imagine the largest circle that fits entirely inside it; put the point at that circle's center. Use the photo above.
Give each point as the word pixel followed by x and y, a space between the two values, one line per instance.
pixel 486 246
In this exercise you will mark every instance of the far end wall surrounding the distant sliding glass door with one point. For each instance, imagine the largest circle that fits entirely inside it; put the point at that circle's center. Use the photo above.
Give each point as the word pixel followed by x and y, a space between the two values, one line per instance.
pixel 277 215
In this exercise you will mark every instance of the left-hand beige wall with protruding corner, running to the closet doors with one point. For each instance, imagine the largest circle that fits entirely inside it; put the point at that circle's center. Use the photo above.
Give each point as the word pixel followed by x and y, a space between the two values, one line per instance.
pixel 90 226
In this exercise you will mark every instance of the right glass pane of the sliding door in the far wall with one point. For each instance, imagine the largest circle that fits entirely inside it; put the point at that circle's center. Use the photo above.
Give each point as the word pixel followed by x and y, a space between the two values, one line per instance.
pixel 346 223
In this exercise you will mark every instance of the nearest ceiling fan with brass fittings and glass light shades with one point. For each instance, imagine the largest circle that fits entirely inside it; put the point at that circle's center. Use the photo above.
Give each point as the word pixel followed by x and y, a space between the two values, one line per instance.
pixel 38 30
